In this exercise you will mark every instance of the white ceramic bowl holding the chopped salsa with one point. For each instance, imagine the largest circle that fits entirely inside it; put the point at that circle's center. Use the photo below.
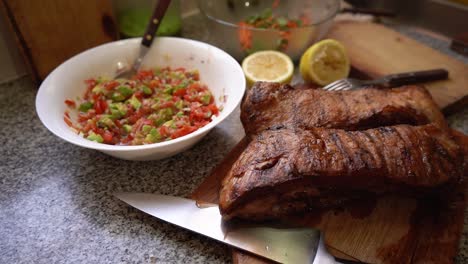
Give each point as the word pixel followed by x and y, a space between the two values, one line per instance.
pixel 218 70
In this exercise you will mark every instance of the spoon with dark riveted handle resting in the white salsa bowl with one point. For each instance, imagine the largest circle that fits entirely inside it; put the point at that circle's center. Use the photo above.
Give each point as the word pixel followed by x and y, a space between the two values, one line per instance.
pixel 123 71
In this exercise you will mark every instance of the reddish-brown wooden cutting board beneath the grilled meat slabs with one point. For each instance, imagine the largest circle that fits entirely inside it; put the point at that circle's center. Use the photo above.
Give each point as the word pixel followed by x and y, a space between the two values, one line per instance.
pixel 391 230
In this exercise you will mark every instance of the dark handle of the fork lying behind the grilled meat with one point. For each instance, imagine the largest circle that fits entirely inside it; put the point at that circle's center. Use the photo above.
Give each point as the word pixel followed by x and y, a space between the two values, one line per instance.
pixel 400 79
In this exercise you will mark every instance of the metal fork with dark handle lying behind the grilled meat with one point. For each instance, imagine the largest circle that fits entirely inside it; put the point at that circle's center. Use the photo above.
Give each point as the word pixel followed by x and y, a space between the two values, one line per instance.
pixel 389 81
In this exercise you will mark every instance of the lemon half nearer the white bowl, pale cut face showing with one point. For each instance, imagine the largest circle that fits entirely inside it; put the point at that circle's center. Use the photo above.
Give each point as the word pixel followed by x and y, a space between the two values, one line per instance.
pixel 270 65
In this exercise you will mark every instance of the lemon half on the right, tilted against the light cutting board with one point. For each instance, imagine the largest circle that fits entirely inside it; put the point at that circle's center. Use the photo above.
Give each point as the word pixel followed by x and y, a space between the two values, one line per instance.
pixel 324 62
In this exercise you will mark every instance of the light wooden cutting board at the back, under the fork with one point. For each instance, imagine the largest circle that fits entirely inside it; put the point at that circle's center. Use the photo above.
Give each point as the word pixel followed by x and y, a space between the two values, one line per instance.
pixel 376 50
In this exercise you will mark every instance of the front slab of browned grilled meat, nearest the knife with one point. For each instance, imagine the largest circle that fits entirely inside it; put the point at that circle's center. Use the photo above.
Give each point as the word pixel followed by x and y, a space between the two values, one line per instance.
pixel 287 171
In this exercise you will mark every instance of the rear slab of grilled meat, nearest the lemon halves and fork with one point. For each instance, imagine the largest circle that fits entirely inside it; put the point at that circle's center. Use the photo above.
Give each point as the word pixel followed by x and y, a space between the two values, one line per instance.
pixel 272 105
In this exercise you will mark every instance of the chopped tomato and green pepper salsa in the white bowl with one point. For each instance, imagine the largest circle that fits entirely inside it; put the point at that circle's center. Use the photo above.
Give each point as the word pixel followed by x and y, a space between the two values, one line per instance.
pixel 153 106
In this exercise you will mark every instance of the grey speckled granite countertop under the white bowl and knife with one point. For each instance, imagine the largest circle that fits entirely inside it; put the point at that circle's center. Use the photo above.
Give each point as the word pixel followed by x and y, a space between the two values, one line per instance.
pixel 56 203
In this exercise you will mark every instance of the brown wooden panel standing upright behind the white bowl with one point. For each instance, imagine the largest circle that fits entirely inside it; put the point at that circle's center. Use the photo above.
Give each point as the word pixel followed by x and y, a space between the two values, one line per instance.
pixel 51 31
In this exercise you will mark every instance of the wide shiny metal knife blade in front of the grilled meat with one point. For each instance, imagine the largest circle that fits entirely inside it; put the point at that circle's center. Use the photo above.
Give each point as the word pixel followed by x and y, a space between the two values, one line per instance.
pixel 284 245
